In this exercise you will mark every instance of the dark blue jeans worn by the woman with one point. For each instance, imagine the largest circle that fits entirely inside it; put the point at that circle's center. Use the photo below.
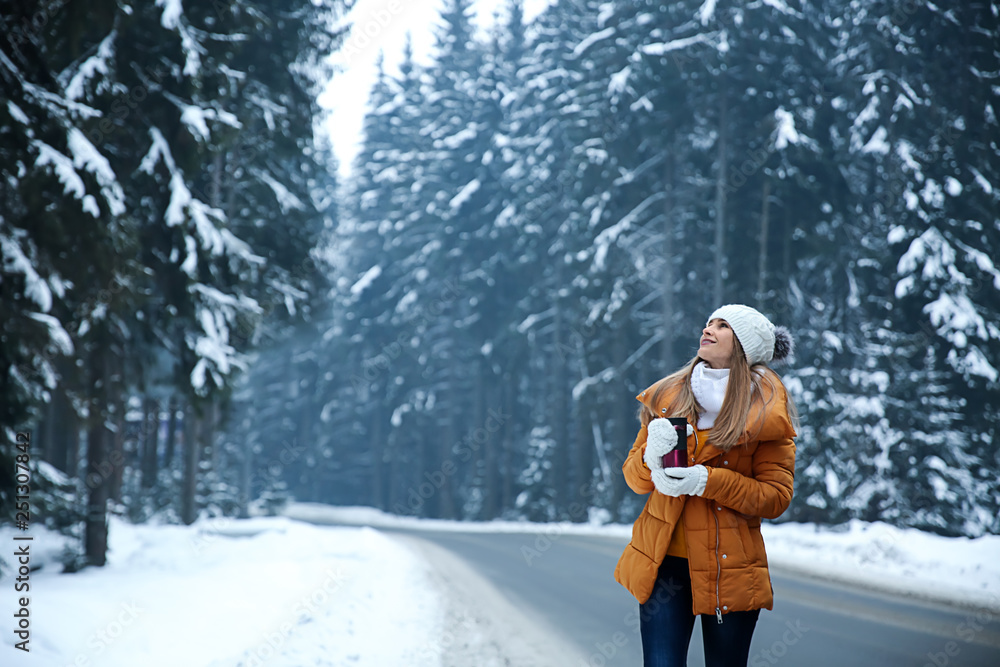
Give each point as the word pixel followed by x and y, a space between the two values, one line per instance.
pixel 666 623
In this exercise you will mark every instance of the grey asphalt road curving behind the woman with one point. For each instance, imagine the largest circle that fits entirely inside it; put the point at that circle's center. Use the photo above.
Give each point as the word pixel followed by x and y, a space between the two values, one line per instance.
pixel 568 579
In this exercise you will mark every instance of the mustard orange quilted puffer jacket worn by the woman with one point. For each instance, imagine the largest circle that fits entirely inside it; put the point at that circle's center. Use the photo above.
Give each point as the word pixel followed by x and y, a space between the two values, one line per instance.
pixel 753 480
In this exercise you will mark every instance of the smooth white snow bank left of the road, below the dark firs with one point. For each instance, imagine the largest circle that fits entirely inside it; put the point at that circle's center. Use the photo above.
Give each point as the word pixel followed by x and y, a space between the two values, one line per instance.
pixel 231 593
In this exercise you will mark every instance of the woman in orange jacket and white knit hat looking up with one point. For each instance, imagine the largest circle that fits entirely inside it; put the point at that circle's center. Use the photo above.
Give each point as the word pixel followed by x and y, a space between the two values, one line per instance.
pixel 696 548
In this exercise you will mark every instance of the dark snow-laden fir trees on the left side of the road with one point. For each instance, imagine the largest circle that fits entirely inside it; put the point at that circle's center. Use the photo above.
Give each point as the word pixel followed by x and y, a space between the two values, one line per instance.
pixel 166 191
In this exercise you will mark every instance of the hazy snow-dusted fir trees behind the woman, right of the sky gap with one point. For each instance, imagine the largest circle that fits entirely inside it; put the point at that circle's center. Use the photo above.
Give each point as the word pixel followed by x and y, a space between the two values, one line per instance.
pixel 649 162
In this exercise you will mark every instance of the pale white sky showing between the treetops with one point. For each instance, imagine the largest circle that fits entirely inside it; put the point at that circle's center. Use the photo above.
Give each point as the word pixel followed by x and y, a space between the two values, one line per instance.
pixel 381 25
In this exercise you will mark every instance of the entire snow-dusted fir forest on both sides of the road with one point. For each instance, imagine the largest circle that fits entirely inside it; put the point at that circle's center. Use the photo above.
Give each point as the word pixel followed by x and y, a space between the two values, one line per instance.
pixel 199 318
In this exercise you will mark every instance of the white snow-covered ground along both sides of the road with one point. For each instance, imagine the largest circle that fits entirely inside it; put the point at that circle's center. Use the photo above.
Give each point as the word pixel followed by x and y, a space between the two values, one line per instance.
pixel 276 591
